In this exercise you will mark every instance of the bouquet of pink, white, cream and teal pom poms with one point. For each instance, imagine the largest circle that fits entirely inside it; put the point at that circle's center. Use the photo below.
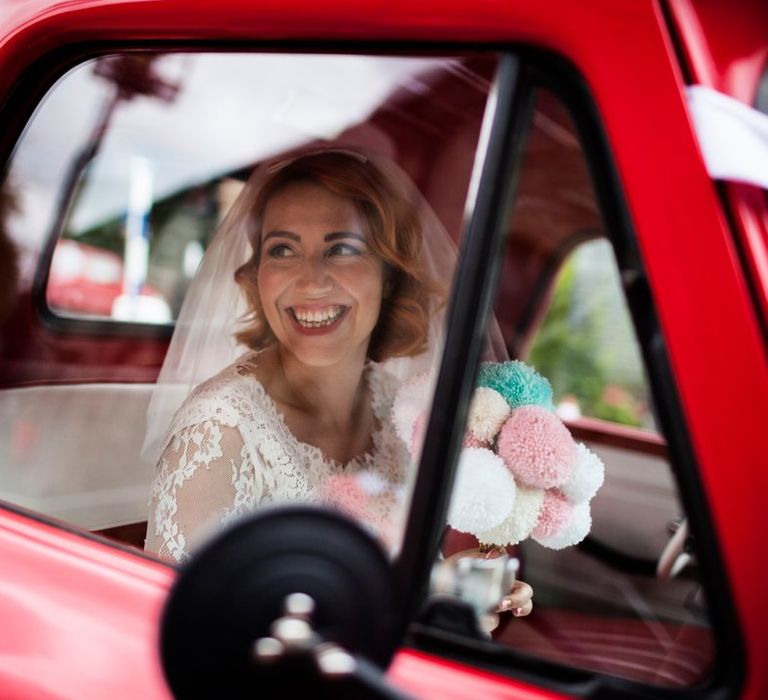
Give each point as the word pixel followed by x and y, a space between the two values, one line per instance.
pixel 520 473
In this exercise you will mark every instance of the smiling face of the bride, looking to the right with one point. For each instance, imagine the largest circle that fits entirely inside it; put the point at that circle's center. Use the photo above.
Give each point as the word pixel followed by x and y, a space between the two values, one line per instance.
pixel 320 285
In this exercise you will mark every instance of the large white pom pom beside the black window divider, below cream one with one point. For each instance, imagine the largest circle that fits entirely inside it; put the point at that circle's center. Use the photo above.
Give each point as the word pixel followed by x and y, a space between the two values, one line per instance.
pixel 483 494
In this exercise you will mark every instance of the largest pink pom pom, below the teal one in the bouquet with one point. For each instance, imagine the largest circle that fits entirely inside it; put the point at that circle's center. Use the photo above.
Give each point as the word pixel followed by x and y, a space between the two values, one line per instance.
pixel 537 447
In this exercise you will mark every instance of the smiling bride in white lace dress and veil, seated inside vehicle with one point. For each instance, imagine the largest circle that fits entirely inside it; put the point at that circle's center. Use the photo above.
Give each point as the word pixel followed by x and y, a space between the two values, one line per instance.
pixel 336 262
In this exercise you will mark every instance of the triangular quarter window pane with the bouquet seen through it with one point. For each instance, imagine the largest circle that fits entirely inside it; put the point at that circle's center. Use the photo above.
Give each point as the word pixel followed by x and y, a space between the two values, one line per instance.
pixel 589 546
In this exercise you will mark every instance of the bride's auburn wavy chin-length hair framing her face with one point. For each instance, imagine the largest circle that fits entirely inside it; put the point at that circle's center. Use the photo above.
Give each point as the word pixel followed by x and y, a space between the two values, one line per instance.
pixel 393 233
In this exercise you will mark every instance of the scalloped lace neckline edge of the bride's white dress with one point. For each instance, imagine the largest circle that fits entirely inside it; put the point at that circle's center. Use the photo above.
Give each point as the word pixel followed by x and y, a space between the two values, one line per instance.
pixel 360 462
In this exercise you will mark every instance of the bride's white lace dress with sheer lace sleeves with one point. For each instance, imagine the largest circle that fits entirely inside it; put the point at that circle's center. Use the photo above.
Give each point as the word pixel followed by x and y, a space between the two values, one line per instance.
pixel 229 451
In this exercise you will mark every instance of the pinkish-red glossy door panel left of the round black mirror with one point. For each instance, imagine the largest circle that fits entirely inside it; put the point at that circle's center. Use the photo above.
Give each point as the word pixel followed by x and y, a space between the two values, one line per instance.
pixel 80 618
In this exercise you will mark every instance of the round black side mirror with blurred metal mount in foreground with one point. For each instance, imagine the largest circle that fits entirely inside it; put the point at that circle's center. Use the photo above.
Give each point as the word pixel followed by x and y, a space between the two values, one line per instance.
pixel 293 601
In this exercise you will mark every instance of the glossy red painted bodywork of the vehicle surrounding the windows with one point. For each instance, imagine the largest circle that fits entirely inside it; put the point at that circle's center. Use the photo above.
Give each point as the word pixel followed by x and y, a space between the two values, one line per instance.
pixel 53 583
